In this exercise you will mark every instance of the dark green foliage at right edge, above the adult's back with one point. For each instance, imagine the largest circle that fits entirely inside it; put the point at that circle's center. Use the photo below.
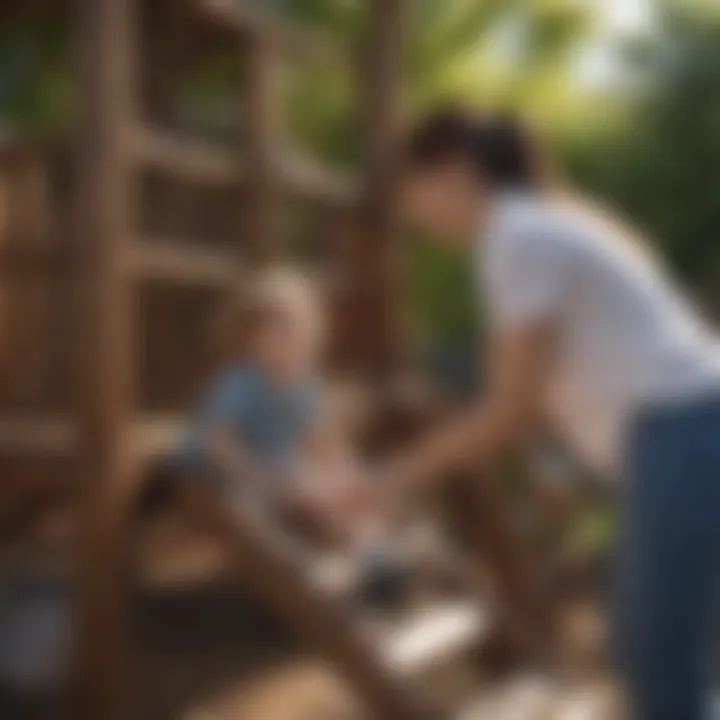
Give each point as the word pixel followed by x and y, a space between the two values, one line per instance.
pixel 662 165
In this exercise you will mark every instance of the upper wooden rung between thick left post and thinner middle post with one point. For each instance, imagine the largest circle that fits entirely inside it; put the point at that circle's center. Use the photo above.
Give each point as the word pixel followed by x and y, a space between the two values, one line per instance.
pixel 195 160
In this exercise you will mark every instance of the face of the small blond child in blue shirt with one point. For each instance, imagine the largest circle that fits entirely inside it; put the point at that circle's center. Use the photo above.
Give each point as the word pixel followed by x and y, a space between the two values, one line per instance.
pixel 286 346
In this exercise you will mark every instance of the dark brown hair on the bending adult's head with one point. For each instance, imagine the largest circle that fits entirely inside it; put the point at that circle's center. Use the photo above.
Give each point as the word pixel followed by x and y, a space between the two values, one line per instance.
pixel 498 145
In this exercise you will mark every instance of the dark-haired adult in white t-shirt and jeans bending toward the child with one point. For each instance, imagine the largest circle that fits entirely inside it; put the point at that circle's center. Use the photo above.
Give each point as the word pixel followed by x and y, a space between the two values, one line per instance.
pixel 588 332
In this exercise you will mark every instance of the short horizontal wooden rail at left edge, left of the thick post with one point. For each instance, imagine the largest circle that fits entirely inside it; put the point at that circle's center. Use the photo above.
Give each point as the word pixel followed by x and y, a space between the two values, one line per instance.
pixel 40 435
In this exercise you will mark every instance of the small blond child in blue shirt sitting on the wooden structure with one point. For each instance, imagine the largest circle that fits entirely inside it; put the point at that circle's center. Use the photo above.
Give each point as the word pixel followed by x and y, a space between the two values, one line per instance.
pixel 262 431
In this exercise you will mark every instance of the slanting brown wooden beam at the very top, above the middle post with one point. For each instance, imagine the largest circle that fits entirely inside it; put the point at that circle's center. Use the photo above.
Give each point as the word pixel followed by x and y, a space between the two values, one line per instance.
pixel 295 38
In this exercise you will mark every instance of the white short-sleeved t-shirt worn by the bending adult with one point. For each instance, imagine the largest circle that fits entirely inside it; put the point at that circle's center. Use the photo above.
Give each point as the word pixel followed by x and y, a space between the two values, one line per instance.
pixel 625 335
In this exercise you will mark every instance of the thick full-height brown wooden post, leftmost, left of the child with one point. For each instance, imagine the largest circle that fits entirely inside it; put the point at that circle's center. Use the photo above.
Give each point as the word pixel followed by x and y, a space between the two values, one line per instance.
pixel 105 336
